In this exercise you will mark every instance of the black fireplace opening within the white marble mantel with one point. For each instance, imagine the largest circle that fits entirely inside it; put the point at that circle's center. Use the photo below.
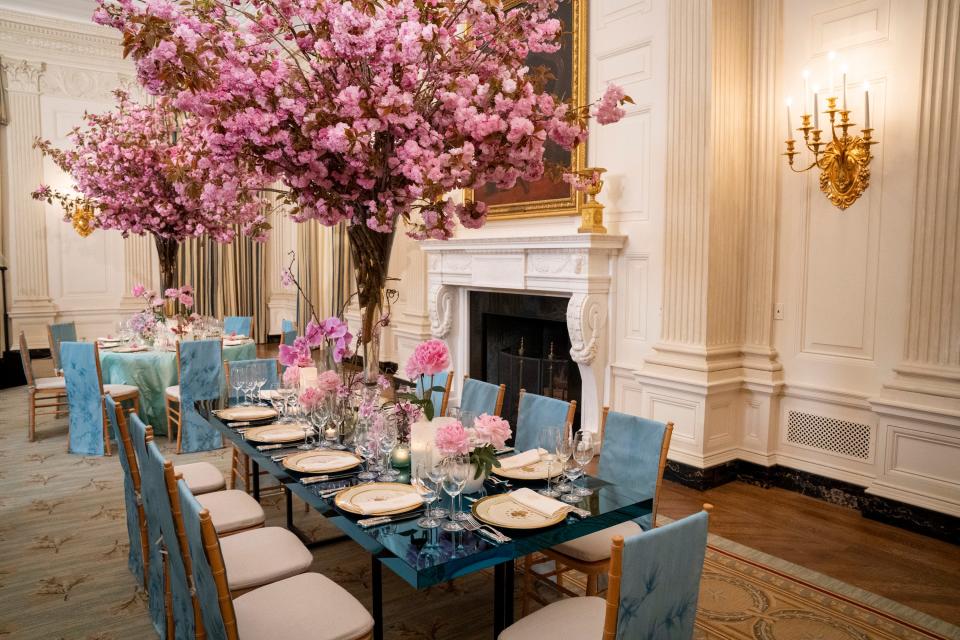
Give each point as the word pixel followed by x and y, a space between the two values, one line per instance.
pixel 521 341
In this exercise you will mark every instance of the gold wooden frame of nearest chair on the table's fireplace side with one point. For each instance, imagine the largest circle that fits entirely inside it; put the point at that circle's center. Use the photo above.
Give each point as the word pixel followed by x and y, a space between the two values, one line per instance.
pixel 563 563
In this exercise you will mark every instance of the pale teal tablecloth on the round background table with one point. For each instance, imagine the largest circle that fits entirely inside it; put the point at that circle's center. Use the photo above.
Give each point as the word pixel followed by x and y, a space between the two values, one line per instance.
pixel 153 372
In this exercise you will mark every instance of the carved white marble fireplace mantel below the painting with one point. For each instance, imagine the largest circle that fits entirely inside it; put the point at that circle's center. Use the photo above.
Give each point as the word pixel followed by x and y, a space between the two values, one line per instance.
pixel 577 266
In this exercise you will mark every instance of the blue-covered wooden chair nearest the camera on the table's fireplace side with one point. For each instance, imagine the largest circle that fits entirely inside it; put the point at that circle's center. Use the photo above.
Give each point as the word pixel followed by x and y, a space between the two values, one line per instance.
pixel 634 454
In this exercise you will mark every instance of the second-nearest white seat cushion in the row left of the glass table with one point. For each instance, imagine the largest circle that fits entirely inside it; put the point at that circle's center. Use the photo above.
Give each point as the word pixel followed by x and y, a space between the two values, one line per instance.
pixel 262 556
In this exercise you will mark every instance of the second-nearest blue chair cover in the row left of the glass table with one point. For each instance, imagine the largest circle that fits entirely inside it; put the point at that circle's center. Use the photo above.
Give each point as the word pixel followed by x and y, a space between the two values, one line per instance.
pixel 163 532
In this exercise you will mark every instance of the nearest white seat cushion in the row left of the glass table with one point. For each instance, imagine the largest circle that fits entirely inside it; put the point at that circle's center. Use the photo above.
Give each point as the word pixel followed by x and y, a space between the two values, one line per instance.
pixel 307 606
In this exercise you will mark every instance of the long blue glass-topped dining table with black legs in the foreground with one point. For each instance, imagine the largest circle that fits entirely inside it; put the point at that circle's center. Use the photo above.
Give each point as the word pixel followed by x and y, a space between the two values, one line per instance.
pixel 427 557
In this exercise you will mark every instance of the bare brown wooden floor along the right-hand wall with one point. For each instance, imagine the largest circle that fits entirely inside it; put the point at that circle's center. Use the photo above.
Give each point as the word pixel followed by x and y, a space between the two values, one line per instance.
pixel 913 569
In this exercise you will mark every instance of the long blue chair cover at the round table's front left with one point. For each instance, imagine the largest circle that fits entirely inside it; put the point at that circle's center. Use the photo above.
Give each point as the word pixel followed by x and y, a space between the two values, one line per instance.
pixel 84 397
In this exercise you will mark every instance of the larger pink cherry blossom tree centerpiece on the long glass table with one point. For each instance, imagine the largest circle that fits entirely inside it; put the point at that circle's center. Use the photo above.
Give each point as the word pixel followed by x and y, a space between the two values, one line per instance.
pixel 368 112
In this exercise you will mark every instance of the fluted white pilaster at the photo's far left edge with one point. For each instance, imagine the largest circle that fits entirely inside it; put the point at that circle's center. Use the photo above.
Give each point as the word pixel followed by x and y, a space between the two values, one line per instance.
pixel 26 234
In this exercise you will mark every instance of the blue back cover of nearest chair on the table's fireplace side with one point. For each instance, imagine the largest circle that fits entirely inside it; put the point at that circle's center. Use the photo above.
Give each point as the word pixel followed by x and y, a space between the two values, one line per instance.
pixel 630 455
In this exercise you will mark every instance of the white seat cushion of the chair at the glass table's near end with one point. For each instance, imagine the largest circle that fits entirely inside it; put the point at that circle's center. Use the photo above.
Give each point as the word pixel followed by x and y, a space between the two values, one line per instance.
pixel 580 618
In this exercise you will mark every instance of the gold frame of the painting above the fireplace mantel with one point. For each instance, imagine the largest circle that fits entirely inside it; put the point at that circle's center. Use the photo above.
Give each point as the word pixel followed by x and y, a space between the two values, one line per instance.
pixel 502 204
